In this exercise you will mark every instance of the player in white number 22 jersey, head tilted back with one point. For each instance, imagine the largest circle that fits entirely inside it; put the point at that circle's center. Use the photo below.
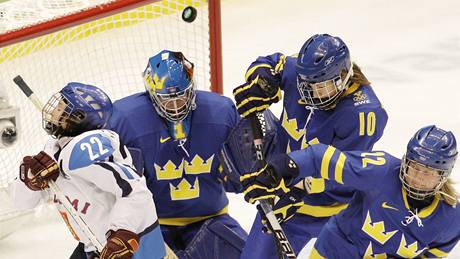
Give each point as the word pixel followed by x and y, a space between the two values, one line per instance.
pixel 96 173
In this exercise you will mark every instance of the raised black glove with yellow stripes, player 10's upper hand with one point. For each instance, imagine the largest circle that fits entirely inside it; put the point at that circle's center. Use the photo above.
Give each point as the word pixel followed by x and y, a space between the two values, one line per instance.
pixel 262 85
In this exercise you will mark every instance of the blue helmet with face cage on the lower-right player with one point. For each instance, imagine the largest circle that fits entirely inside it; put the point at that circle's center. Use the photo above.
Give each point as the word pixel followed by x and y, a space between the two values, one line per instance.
pixel 431 148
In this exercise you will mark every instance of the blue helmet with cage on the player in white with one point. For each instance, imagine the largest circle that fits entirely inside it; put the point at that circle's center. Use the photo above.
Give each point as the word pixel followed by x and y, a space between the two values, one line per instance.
pixel 75 109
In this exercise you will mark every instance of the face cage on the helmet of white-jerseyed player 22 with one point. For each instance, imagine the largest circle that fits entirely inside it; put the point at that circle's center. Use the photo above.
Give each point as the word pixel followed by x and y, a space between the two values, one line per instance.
pixel 56 115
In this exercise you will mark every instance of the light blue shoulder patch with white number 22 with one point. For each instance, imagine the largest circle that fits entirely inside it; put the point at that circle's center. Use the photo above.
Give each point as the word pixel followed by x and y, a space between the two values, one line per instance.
pixel 88 148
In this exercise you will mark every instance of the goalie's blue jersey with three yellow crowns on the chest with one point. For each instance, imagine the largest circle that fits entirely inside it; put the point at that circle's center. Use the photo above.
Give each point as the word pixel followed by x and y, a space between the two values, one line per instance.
pixel 183 178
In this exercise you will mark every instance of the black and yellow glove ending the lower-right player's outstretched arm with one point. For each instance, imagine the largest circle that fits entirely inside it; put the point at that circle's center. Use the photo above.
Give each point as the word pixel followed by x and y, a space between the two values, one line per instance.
pixel 265 183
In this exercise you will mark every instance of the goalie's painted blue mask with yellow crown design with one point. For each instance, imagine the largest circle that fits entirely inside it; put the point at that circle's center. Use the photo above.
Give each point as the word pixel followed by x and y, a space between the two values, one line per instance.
pixel 168 79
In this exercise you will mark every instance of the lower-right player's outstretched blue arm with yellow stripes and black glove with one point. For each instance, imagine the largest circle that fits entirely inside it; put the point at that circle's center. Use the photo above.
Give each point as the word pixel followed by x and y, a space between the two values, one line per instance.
pixel 309 168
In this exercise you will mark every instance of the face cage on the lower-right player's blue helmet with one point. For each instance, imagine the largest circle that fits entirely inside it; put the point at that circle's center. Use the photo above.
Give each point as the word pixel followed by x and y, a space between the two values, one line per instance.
pixel 415 193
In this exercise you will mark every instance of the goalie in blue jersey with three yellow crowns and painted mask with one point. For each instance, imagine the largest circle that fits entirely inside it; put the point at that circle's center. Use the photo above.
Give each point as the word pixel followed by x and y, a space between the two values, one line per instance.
pixel 179 130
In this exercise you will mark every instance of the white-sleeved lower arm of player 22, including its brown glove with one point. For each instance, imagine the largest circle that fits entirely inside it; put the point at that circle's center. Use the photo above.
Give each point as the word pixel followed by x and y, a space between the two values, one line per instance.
pixel 133 211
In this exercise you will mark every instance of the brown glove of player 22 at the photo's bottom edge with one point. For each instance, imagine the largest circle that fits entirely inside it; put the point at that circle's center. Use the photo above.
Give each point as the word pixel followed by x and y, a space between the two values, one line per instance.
pixel 121 244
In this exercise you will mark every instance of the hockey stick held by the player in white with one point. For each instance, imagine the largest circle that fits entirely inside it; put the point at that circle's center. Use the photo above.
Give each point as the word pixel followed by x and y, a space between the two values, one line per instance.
pixel 53 186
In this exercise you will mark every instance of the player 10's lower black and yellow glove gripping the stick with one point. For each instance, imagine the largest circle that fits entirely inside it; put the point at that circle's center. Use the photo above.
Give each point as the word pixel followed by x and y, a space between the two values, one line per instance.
pixel 288 204
